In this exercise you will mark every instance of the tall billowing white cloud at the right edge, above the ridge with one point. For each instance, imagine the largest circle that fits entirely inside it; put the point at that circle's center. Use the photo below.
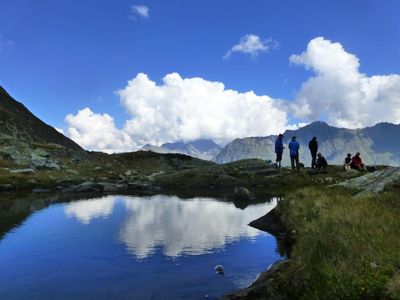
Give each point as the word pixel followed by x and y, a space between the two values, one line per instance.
pixel 339 93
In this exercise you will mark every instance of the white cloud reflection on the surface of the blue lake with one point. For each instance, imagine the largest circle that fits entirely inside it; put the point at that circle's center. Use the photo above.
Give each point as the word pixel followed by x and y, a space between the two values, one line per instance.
pixel 189 227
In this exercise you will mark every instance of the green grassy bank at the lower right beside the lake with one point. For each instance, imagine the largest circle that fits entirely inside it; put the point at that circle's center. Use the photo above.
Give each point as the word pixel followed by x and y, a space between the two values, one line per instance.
pixel 345 248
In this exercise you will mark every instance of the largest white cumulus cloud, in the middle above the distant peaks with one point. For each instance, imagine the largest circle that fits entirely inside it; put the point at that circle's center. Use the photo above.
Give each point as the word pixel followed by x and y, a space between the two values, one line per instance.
pixel 193 108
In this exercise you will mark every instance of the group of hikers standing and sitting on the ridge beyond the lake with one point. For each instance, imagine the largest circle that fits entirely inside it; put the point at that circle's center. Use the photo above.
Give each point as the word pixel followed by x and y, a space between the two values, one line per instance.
pixel 317 160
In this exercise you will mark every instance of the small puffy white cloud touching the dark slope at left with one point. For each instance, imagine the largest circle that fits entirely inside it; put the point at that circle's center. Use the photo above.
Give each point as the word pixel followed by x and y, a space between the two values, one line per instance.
pixel 97 132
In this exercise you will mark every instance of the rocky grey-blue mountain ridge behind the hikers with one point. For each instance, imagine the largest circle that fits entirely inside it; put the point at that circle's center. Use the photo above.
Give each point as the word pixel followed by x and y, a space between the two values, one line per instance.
pixel 378 144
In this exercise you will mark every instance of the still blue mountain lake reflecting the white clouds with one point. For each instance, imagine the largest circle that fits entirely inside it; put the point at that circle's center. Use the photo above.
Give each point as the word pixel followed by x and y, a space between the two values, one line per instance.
pixel 120 247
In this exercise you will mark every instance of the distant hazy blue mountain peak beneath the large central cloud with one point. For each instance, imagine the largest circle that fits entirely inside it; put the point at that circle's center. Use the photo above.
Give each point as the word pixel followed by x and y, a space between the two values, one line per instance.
pixel 203 148
